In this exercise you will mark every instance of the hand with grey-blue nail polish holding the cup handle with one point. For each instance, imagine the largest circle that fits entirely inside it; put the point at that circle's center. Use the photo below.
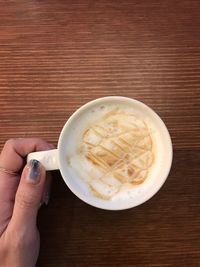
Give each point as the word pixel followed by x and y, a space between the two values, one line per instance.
pixel 20 199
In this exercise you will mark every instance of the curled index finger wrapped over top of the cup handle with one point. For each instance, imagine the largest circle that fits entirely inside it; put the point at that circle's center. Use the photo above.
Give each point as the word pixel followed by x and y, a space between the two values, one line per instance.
pixel 15 150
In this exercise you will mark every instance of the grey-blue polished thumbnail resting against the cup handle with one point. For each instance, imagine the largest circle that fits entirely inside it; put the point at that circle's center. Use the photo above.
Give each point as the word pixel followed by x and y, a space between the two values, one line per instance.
pixel 33 175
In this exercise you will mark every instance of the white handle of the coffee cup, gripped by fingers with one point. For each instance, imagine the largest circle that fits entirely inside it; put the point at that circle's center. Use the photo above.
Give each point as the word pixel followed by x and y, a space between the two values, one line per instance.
pixel 48 158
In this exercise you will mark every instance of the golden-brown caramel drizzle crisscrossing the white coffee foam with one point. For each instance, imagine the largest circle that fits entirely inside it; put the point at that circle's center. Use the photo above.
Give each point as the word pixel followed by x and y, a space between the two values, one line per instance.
pixel 125 149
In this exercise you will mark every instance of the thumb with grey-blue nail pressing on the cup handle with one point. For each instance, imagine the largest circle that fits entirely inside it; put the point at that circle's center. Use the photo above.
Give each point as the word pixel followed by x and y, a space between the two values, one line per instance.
pixel 29 195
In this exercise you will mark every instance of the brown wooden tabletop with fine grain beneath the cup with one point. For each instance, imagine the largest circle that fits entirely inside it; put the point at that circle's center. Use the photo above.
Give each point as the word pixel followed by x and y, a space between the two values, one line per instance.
pixel 56 56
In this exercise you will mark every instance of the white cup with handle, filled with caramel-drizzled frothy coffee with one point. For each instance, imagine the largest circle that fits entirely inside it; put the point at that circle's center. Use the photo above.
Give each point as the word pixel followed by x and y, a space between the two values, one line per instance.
pixel 113 153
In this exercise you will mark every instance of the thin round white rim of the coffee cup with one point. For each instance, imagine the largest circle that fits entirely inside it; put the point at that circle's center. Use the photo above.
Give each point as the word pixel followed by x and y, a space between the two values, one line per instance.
pixel 104 100
